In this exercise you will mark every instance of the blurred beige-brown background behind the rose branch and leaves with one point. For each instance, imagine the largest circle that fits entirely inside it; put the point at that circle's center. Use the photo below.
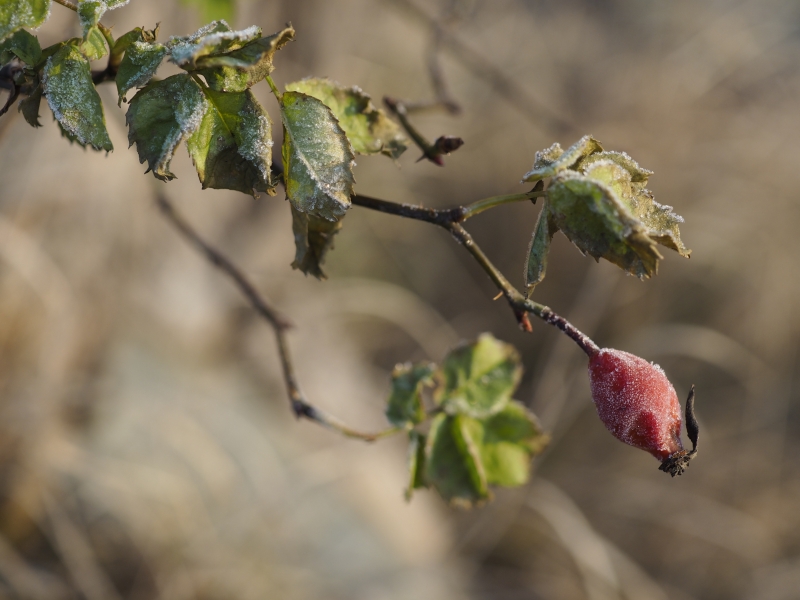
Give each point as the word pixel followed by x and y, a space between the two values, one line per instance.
pixel 147 449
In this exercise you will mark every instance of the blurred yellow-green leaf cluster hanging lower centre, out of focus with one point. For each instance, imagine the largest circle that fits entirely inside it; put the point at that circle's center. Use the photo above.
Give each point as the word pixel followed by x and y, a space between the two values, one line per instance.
pixel 479 436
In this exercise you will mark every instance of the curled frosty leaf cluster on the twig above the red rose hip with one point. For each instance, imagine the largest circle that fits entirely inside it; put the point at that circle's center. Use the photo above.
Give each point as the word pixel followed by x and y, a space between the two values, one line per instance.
pixel 598 199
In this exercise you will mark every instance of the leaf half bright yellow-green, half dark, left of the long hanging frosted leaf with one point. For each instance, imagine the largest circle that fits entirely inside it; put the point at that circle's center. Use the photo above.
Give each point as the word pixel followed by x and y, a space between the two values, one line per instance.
pixel 232 146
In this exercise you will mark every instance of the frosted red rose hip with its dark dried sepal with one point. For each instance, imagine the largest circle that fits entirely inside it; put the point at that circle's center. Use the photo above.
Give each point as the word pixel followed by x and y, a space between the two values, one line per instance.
pixel 638 405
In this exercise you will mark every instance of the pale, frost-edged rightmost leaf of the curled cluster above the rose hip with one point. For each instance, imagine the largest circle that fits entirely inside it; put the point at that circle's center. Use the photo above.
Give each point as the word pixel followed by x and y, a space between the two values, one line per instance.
pixel 627 179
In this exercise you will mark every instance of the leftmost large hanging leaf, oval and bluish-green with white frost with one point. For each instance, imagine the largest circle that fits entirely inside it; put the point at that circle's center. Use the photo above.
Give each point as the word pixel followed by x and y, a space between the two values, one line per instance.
pixel 68 87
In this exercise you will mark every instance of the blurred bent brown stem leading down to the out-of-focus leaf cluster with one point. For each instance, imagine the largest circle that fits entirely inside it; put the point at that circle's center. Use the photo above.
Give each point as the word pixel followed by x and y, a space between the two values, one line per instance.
pixel 300 407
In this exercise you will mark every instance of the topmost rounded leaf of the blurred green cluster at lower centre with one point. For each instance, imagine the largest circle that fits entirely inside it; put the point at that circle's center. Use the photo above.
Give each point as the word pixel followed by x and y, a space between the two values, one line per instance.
pixel 478 379
